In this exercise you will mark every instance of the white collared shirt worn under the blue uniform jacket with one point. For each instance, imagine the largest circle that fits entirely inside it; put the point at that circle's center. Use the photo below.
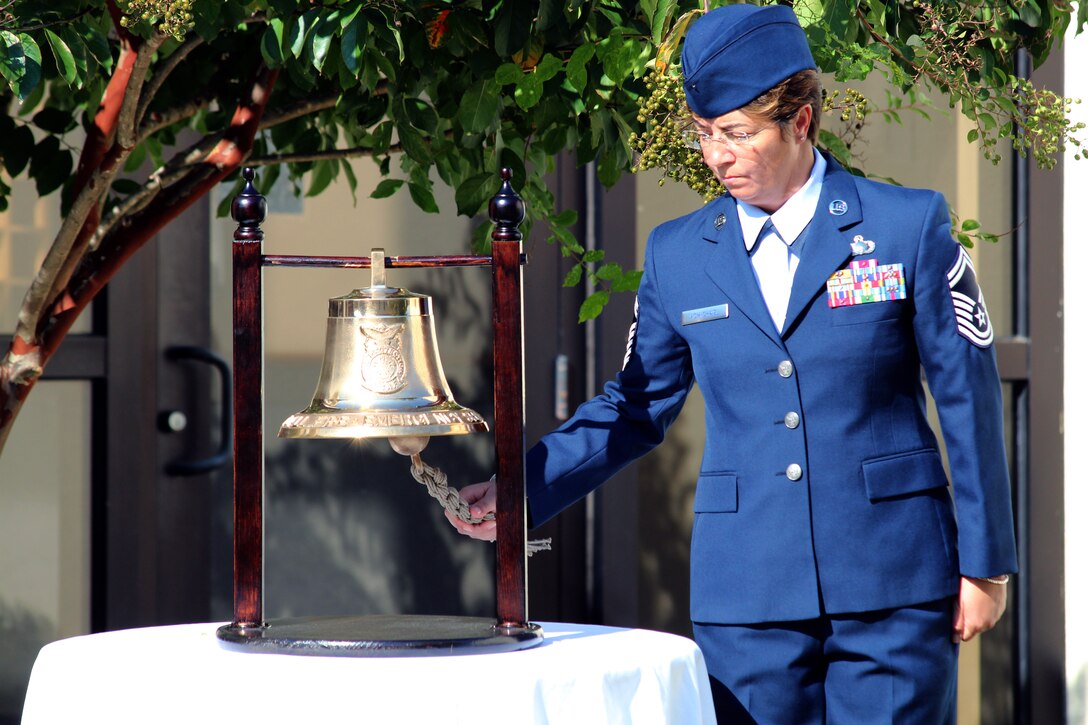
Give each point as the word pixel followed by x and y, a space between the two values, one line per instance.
pixel 775 260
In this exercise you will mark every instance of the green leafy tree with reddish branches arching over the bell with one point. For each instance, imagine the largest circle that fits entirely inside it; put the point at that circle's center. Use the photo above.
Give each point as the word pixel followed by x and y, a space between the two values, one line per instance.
pixel 96 91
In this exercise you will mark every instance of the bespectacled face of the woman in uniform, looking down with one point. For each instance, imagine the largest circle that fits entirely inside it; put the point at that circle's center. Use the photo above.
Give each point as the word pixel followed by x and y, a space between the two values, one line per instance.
pixel 771 167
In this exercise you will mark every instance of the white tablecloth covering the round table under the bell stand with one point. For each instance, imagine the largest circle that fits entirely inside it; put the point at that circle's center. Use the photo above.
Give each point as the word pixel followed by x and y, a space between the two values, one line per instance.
pixel 181 674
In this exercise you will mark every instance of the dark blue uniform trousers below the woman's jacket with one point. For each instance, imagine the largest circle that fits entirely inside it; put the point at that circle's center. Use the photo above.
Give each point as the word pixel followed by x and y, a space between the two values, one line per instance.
pixel 888 667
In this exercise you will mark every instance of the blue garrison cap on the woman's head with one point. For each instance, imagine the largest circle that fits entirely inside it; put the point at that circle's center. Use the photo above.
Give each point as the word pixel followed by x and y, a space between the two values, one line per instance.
pixel 735 54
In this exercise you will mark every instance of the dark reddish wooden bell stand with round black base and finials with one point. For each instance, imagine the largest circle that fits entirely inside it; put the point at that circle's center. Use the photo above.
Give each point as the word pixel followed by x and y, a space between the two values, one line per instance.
pixel 380 635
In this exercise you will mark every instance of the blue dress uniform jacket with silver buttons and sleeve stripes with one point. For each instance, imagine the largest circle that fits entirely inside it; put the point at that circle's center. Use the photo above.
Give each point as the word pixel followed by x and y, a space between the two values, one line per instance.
pixel 821 481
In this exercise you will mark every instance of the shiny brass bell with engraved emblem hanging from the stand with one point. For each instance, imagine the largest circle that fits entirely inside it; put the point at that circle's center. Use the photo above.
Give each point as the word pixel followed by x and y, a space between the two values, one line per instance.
pixel 381 376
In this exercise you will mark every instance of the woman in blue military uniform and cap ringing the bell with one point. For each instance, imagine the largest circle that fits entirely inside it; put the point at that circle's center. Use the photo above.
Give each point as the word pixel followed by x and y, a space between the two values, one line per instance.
pixel 833 576
